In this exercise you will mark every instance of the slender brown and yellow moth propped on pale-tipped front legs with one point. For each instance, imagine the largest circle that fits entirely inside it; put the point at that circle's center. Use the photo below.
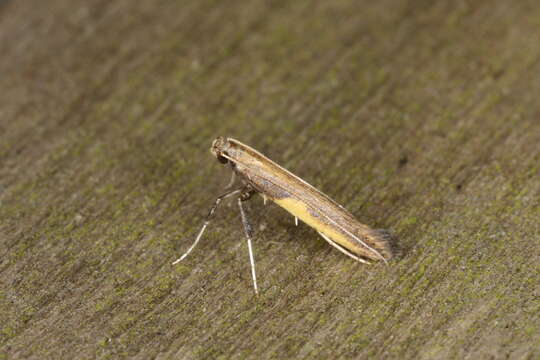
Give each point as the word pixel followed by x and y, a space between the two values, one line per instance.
pixel 259 174
